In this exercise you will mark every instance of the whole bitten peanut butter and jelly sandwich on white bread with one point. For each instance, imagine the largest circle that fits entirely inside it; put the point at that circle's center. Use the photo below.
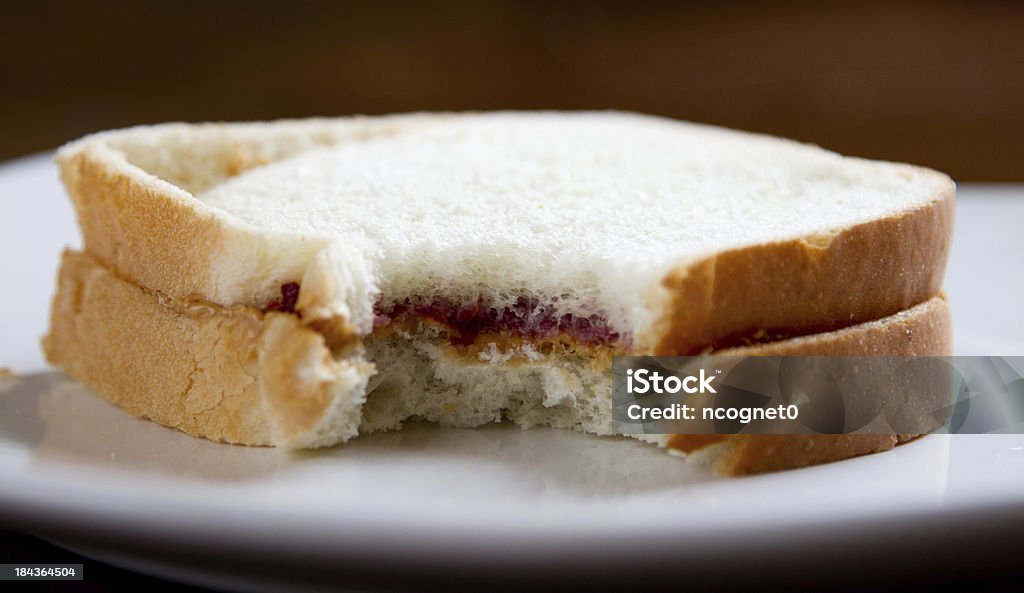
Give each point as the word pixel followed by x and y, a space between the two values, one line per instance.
pixel 300 283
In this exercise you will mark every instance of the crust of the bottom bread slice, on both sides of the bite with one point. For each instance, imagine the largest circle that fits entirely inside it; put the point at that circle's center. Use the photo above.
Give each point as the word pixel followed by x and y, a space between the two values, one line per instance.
pixel 200 368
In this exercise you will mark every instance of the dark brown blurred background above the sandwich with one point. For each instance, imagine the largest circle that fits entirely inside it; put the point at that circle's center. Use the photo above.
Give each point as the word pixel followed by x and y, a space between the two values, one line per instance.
pixel 936 83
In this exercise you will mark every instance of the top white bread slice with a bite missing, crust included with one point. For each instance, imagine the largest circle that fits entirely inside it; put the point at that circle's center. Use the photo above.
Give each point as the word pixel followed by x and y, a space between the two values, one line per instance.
pixel 684 238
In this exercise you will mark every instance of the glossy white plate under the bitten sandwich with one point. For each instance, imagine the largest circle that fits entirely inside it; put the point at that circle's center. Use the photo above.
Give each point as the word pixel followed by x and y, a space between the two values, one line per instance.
pixel 430 503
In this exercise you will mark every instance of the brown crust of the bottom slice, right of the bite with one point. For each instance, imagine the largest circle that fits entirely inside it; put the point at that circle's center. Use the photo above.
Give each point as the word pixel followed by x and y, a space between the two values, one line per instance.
pixel 924 330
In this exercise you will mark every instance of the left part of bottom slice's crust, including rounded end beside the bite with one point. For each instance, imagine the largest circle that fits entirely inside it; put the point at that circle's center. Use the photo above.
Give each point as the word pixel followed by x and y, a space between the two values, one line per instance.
pixel 226 374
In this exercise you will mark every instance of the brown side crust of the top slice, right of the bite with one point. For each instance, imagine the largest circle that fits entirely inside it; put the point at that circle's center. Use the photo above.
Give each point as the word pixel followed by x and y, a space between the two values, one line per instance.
pixel 803 287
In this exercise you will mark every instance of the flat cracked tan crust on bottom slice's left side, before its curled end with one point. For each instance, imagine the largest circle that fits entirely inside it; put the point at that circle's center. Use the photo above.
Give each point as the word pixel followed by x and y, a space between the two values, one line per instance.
pixel 197 374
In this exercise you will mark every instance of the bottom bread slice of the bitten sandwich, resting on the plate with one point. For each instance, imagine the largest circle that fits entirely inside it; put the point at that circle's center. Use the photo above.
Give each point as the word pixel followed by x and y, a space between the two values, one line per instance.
pixel 244 376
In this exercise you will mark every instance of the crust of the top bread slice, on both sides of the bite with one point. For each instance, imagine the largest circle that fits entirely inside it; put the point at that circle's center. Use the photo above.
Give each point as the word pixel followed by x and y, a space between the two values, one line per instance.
pixel 156 234
